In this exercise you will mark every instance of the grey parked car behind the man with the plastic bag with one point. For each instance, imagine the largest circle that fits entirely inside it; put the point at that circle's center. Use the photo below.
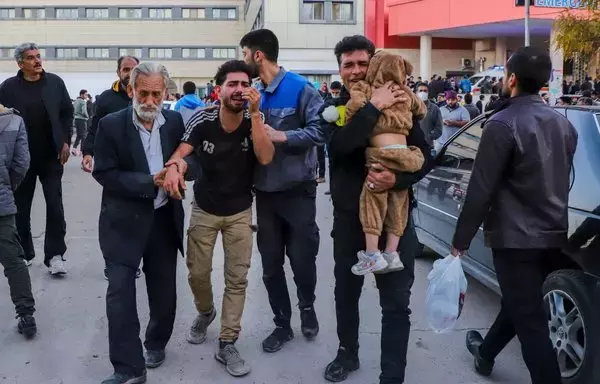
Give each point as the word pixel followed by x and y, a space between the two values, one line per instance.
pixel 571 294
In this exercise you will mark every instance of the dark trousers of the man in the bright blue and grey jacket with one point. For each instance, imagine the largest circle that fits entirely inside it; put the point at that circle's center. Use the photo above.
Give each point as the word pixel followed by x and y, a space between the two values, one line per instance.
pixel 286 225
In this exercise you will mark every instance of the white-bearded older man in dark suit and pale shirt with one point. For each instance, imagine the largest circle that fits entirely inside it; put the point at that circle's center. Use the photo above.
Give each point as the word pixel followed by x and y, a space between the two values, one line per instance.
pixel 139 220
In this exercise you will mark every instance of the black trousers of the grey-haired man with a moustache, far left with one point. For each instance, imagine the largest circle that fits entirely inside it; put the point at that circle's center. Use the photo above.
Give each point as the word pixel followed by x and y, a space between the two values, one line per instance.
pixel 50 173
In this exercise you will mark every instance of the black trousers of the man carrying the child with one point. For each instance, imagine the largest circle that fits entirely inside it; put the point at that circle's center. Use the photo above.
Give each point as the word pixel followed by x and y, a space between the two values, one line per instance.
pixel 394 294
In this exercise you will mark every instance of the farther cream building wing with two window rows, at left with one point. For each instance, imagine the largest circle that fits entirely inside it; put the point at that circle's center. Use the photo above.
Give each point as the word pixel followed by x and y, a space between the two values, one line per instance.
pixel 81 40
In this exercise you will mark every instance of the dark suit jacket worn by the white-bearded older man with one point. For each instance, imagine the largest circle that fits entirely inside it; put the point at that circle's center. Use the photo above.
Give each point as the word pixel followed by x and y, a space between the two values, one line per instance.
pixel 127 209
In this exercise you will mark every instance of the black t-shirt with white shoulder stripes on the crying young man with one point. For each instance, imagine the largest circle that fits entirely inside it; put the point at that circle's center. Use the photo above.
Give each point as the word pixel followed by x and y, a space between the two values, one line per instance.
pixel 224 184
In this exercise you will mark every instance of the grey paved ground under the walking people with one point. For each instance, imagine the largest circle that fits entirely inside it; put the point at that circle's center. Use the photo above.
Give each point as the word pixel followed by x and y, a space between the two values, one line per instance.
pixel 72 348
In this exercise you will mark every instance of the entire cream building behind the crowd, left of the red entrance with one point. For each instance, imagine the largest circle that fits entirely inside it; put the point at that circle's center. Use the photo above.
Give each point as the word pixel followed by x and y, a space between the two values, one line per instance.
pixel 81 40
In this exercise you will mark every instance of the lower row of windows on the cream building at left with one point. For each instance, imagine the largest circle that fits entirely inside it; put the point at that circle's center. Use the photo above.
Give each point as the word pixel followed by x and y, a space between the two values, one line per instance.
pixel 153 53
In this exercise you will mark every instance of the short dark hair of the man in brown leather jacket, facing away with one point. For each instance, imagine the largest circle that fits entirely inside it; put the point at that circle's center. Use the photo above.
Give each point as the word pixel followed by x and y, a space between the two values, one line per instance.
pixel 531 66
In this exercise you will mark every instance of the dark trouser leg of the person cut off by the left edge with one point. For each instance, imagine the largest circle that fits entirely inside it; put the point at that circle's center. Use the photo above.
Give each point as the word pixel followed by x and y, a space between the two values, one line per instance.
pixel 15 270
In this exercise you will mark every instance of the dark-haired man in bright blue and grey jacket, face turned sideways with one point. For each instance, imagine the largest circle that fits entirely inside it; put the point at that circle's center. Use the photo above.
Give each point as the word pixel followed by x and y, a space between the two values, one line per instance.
pixel 286 188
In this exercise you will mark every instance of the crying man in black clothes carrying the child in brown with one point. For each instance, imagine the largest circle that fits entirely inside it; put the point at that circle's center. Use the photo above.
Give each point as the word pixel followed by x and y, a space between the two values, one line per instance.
pixel 347 144
